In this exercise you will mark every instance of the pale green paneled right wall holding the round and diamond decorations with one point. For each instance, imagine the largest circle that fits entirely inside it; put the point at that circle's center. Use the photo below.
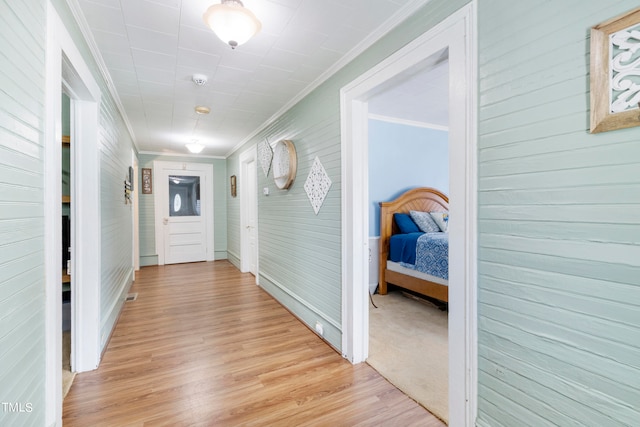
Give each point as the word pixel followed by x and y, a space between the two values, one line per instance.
pixel 300 253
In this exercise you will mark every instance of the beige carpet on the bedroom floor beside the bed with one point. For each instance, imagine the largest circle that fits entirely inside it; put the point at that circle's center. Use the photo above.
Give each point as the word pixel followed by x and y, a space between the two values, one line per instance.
pixel 408 345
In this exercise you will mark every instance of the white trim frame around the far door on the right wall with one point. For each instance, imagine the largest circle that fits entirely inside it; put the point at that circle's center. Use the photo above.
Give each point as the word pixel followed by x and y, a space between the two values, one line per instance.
pixel 247 201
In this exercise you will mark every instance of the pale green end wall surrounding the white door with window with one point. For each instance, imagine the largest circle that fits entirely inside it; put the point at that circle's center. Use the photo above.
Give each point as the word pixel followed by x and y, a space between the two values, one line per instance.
pixel 148 254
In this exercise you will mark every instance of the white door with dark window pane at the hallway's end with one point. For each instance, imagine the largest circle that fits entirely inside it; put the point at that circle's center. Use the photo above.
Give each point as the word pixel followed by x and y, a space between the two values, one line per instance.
pixel 183 213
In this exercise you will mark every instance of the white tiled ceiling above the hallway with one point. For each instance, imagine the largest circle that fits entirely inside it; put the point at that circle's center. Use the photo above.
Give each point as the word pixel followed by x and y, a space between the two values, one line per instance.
pixel 152 48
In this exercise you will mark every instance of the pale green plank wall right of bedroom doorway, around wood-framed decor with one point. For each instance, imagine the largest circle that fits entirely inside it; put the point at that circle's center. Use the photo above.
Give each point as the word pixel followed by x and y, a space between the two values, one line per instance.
pixel 559 221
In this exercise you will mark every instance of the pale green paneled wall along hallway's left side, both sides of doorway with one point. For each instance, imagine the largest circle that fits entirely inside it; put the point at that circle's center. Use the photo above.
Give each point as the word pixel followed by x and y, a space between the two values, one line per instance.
pixel 22 118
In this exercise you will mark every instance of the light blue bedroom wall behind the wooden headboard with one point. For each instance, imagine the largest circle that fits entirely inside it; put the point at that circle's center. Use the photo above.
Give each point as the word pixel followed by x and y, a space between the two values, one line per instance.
pixel 402 157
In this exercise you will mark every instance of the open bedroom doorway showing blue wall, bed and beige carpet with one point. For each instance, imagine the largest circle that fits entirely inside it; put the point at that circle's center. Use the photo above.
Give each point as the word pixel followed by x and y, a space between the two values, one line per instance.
pixel 408 149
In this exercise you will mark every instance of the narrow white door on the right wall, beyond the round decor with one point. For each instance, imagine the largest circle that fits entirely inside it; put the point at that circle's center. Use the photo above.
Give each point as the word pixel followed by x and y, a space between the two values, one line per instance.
pixel 249 212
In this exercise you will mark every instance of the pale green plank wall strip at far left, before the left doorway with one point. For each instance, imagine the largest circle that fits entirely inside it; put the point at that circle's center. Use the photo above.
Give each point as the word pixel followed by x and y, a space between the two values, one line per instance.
pixel 22 292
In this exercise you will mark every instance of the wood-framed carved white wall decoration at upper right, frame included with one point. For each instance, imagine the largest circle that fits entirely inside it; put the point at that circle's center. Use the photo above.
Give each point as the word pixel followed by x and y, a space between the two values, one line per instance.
pixel 615 73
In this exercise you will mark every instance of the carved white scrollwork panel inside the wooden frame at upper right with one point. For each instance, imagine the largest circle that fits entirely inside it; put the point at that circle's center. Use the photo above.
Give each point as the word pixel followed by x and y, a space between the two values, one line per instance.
pixel 625 69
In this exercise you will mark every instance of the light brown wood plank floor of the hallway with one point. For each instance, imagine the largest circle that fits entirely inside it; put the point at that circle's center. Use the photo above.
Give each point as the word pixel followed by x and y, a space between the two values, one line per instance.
pixel 203 345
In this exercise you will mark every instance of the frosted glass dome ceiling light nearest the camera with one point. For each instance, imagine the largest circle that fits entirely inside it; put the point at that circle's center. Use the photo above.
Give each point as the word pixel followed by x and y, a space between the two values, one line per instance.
pixel 232 22
